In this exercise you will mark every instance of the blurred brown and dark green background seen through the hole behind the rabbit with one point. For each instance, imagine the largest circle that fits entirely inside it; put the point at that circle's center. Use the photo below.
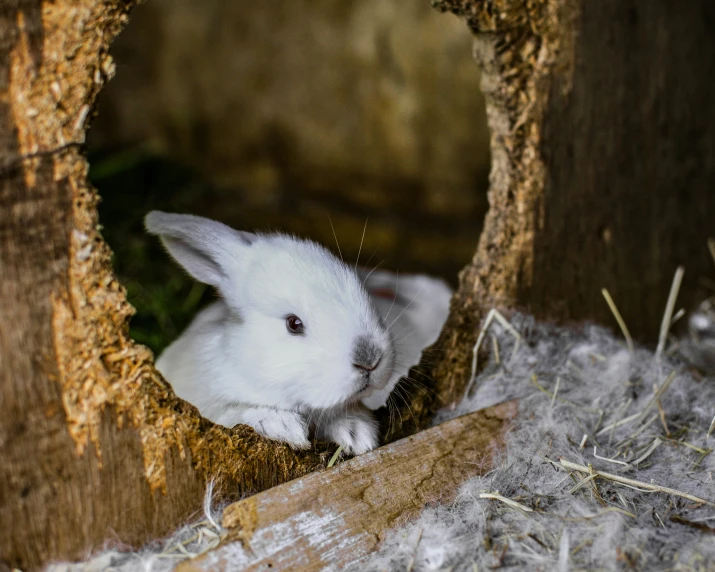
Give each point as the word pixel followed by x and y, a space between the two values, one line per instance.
pixel 285 115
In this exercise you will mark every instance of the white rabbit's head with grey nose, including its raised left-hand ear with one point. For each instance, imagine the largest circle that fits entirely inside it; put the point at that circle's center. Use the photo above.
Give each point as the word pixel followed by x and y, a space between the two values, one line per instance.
pixel 303 328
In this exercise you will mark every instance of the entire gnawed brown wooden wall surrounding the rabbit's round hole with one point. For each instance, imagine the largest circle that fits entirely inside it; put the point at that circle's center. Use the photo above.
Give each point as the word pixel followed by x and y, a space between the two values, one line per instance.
pixel 602 141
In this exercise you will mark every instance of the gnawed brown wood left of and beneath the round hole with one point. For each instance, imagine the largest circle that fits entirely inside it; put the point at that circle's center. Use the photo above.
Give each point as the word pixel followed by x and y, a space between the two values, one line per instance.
pixel 93 444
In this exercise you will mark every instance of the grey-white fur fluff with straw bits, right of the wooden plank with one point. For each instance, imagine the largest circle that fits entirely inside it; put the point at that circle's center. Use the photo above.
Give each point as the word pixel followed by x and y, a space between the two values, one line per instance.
pixel 574 531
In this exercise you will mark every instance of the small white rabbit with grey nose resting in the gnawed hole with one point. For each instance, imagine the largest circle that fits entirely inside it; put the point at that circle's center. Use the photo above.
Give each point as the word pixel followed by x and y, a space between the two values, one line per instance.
pixel 295 342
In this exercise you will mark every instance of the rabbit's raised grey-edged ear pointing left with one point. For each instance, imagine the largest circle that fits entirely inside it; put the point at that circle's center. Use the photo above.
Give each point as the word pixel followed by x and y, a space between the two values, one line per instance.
pixel 209 250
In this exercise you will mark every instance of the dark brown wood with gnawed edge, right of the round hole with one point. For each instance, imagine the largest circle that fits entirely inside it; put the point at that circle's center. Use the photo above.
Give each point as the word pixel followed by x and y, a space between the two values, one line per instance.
pixel 603 150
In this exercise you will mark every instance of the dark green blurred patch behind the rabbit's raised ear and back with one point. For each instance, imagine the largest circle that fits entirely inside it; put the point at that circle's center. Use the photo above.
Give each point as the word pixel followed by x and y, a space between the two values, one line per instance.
pixel 132 182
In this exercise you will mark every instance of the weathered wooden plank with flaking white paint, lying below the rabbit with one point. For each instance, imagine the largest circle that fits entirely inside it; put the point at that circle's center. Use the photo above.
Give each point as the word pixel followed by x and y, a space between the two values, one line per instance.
pixel 334 518
